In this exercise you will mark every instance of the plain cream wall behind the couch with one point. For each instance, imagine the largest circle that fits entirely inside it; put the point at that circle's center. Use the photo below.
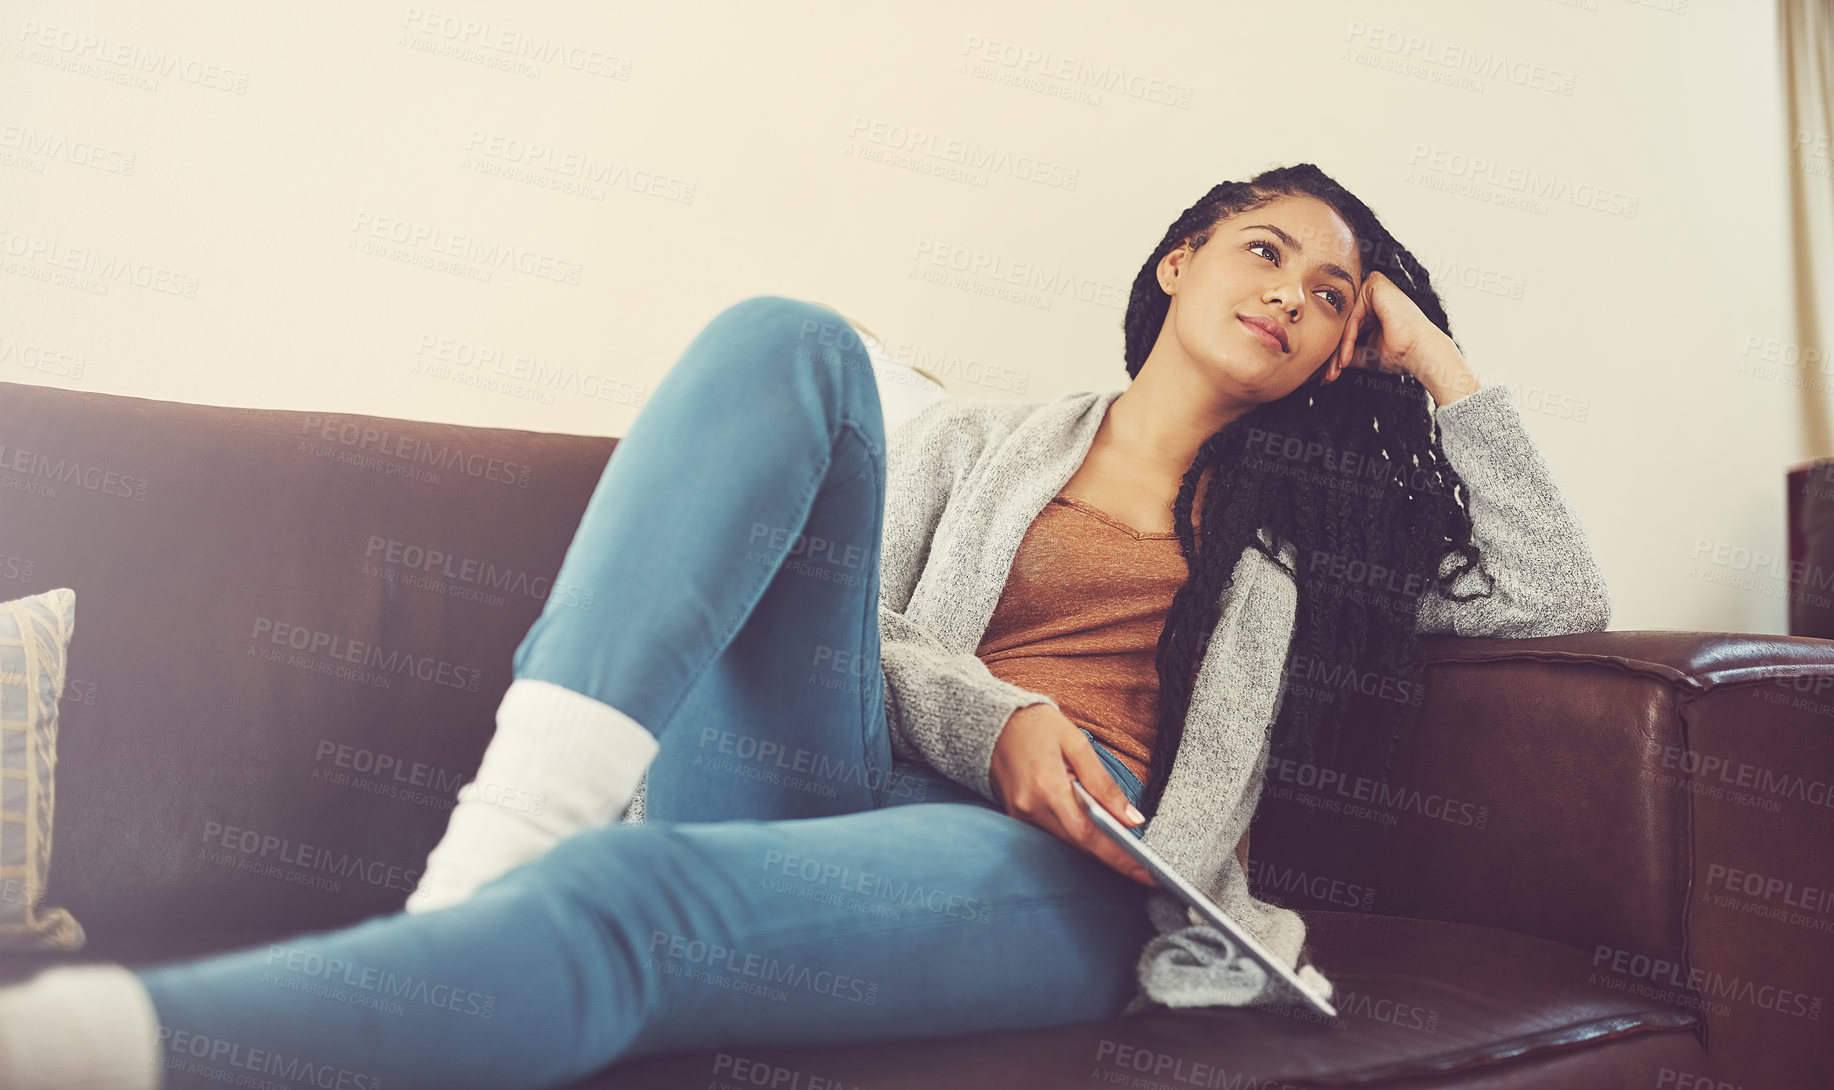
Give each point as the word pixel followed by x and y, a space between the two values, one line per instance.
pixel 199 206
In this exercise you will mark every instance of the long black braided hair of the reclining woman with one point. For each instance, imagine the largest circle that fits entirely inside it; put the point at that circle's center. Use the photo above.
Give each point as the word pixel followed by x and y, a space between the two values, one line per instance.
pixel 1354 476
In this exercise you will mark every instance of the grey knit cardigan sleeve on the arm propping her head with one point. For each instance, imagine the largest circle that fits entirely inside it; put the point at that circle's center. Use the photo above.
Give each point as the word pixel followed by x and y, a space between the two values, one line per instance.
pixel 1547 581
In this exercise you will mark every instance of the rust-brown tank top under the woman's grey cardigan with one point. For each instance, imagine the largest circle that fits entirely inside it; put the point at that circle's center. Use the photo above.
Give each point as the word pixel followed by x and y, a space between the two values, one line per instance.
pixel 1081 617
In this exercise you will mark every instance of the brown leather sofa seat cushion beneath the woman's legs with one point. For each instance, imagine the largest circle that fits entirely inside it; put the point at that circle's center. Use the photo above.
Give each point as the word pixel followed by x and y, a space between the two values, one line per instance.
pixel 1420 1005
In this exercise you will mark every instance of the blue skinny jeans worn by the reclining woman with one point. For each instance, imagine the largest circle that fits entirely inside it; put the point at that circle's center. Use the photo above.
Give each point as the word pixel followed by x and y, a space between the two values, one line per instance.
pixel 791 882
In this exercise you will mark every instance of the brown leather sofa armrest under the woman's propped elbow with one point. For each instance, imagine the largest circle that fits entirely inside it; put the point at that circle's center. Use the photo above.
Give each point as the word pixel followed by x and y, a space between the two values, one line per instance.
pixel 1663 799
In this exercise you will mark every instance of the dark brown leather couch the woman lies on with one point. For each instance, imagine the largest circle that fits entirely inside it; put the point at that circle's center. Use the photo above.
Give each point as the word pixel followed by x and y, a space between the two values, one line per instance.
pixel 1609 865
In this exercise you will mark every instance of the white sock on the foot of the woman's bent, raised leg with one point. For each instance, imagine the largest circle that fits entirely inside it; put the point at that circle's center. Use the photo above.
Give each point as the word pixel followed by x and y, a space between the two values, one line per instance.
pixel 560 762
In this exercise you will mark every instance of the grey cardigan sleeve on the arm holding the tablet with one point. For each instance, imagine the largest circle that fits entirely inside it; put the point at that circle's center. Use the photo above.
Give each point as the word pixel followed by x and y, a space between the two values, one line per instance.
pixel 944 707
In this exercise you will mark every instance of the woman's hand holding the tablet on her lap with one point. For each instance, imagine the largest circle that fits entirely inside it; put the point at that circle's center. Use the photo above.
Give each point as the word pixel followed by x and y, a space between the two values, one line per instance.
pixel 1035 759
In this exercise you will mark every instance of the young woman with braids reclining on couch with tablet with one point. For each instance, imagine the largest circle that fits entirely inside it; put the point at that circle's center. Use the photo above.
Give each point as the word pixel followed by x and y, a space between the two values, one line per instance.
pixel 843 684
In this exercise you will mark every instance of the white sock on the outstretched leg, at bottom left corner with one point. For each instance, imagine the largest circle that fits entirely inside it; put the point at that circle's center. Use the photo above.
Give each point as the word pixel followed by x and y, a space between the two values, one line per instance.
pixel 80 1029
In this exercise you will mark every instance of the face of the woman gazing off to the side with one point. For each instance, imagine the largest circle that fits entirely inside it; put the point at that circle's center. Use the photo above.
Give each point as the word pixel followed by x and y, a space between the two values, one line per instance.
pixel 1292 263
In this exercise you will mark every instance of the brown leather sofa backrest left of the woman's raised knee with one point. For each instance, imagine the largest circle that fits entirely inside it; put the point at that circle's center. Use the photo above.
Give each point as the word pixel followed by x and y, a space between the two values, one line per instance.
pixel 293 636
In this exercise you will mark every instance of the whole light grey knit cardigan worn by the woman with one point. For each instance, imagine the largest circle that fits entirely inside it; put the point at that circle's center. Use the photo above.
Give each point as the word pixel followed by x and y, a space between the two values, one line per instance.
pixel 966 482
